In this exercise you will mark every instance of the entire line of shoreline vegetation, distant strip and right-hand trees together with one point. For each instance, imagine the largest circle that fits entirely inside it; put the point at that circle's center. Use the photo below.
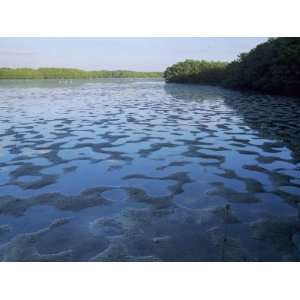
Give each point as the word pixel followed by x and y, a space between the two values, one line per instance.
pixel 272 67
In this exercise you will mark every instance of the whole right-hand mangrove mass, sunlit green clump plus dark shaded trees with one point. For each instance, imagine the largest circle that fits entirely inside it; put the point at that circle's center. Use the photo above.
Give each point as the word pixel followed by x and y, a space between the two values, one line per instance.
pixel 272 67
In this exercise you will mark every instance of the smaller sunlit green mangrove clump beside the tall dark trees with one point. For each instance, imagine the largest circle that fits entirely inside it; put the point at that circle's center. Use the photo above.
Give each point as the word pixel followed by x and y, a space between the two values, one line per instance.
pixel 193 71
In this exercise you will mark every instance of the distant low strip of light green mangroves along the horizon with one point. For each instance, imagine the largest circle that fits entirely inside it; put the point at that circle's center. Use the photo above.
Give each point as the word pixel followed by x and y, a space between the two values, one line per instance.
pixel 65 73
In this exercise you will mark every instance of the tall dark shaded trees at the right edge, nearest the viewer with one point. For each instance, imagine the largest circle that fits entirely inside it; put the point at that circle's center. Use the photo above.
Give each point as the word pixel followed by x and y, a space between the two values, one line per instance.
pixel 272 67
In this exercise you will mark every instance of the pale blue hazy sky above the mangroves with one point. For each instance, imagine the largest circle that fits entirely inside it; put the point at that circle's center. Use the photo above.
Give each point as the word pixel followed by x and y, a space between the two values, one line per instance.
pixel 138 54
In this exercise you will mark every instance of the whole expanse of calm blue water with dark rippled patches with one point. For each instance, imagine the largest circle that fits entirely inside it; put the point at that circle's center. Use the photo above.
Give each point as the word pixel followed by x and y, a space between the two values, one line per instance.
pixel 142 171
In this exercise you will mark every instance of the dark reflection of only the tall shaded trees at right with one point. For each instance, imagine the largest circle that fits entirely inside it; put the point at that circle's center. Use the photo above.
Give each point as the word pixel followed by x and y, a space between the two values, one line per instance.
pixel 272 117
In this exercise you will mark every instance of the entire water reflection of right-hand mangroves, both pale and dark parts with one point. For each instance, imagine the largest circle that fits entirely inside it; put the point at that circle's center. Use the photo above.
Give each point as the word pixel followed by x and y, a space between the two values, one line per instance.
pixel 270 116
